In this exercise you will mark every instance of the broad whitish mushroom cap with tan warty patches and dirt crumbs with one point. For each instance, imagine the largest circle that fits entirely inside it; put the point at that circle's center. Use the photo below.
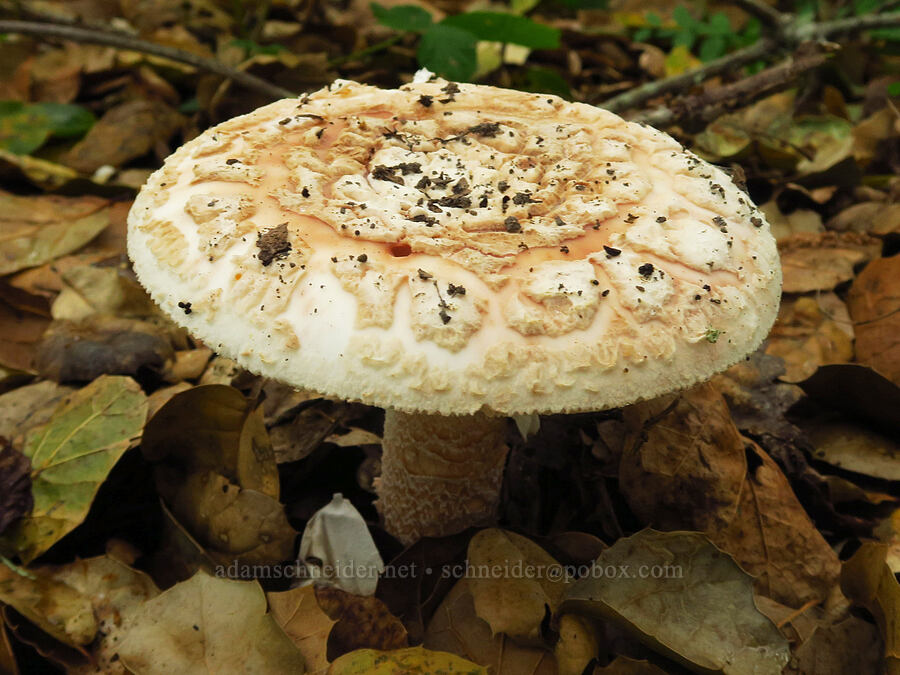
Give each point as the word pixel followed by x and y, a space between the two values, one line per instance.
pixel 451 247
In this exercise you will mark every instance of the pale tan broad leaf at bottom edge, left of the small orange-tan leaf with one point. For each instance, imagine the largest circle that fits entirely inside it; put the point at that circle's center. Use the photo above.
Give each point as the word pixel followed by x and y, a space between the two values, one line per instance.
pixel 208 625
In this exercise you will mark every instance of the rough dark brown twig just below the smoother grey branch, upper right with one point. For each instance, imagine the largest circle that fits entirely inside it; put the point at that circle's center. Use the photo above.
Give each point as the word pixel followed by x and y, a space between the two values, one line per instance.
pixel 709 105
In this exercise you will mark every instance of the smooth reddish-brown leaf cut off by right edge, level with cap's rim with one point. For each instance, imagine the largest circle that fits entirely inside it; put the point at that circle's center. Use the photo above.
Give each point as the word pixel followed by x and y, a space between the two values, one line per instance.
pixel 874 303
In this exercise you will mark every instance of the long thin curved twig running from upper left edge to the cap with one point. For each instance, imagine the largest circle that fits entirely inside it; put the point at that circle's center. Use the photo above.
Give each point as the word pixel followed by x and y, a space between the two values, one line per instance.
pixel 124 41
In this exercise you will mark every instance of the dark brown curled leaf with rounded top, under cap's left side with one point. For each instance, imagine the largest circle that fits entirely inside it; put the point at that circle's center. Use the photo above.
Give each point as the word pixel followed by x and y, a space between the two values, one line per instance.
pixel 227 436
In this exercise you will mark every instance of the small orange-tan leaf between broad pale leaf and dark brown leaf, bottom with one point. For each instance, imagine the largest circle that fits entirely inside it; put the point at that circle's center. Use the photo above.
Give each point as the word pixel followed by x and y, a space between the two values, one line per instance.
pixel 299 615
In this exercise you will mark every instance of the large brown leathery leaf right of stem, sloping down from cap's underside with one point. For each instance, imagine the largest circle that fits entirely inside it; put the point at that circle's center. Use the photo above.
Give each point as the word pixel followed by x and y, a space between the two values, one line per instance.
pixel 694 471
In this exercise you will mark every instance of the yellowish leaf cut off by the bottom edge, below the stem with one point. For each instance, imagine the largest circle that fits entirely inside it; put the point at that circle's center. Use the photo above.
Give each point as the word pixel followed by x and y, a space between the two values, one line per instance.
pixel 410 661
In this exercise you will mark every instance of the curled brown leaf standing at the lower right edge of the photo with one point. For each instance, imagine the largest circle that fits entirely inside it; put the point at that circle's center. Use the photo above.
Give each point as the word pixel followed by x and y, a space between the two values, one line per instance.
pixel 868 580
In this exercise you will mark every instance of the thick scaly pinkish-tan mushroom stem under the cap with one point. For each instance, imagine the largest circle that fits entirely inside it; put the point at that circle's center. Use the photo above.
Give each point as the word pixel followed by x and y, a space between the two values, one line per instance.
pixel 440 475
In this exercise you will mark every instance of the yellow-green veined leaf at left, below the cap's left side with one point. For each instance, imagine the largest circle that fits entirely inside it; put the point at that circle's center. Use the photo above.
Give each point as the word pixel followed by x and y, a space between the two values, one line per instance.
pixel 71 456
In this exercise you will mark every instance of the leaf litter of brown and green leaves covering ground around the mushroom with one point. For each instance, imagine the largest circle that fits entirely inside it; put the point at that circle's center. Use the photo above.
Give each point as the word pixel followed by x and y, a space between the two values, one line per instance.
pixel 776 483
